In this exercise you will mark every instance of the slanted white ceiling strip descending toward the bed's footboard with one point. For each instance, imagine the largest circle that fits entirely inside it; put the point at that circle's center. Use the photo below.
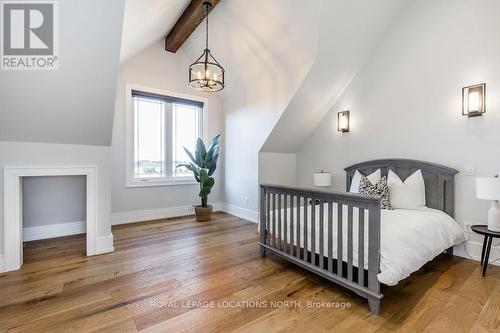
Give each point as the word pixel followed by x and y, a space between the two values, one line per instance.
pixel 348 31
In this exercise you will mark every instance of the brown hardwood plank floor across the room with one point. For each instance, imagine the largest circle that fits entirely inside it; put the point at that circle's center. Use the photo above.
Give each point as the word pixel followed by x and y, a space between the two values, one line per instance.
pixel 178 275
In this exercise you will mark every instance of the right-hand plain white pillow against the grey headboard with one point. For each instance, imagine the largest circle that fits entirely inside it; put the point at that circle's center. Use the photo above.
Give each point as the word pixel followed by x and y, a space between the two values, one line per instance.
pixel 409 194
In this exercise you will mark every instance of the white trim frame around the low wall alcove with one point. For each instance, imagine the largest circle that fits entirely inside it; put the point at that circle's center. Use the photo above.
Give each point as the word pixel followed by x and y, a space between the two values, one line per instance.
pixel 13 223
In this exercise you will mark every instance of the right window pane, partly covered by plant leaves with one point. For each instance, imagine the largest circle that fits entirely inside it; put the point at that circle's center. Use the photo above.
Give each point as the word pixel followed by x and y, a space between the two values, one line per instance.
pixel 186 130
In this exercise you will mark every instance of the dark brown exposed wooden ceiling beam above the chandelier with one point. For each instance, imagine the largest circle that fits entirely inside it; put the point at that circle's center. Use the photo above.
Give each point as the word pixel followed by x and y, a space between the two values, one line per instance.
pixel 187 23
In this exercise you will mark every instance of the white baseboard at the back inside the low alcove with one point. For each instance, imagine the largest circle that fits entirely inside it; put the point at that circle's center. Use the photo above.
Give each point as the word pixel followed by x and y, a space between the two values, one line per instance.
pixel 54 230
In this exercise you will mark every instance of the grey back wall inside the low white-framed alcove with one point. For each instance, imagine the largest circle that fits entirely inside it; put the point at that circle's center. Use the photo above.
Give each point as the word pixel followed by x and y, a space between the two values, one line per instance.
pixel 53 200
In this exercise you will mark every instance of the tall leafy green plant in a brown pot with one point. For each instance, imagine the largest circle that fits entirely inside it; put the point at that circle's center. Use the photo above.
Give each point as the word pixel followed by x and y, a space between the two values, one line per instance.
pixel 203 164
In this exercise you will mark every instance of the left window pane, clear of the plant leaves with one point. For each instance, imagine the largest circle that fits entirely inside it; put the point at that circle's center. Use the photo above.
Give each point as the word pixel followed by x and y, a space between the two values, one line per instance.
pixel 149 137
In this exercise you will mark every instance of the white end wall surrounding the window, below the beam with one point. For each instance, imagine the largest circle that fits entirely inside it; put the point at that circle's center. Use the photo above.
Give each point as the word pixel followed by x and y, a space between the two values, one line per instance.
pixel 158 69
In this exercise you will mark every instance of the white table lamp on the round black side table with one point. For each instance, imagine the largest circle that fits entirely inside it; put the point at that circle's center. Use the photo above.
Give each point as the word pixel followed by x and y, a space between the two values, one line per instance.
pixel 488 188
